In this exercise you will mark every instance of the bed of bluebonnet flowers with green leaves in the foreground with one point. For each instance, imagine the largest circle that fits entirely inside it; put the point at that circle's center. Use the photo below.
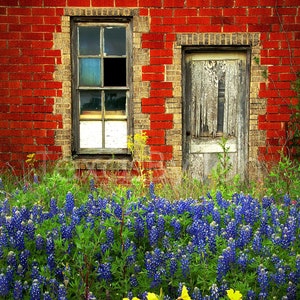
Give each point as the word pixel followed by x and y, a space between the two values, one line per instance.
pixel 115 247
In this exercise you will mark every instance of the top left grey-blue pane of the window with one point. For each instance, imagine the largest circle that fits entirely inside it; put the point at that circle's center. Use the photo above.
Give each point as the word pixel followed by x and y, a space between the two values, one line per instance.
pixel 89 40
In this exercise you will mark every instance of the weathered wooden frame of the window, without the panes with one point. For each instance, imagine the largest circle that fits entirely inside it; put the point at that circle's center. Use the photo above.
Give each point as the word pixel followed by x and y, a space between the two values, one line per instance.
pixel 101 22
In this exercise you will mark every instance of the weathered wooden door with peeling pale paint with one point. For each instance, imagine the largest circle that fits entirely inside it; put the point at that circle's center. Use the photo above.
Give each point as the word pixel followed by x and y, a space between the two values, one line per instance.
pixel 215 105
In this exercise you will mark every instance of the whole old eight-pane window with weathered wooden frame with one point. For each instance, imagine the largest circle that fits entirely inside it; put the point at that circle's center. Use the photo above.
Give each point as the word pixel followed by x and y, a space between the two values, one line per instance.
pixel 100 87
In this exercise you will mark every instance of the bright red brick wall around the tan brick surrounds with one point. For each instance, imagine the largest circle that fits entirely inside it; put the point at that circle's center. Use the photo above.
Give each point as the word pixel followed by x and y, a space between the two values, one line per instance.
pixel 28 122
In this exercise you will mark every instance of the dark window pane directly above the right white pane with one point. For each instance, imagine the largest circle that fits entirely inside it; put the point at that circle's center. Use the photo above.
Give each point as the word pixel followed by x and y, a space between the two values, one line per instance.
pixel 115 102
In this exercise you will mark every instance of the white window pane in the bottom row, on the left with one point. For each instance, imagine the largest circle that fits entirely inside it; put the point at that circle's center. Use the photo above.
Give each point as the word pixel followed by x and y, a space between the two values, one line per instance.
pixel 90 134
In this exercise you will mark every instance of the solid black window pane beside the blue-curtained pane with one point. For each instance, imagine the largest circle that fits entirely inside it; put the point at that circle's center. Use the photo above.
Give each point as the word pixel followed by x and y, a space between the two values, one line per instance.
pixel 115 71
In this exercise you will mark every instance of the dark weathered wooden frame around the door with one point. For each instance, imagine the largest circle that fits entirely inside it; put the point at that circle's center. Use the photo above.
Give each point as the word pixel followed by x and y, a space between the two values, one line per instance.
pixel 244 136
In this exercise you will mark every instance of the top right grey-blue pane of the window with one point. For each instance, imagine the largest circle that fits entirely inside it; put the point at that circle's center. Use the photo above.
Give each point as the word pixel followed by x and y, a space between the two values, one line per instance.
pixel 114 41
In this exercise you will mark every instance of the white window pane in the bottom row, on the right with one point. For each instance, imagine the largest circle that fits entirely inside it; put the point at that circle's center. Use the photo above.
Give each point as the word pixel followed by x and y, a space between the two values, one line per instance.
pixel 116 134
